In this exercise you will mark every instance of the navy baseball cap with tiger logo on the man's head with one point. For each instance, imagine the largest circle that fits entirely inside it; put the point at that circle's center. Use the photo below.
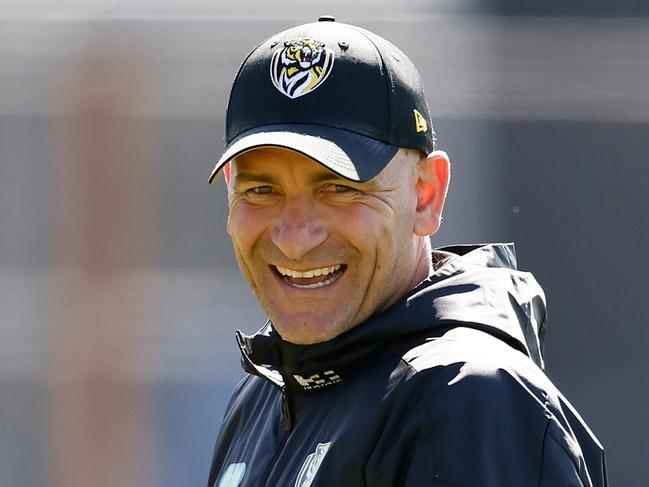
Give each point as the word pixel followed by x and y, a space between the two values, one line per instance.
pixel 339 94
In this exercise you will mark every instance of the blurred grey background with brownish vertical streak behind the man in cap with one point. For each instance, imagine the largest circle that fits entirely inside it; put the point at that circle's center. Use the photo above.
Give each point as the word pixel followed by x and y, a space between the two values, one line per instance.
pixel 119 293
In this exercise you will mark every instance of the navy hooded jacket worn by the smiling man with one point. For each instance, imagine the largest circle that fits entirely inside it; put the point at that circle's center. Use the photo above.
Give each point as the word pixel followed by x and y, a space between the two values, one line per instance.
pixel 443 388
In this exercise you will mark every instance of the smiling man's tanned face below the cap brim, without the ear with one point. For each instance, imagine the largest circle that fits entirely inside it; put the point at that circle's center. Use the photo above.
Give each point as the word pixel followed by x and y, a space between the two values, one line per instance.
pixel 320 252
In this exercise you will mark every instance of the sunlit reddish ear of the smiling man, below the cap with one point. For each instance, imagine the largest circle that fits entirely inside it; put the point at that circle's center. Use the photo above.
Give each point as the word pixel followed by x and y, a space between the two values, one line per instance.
pixel 432 177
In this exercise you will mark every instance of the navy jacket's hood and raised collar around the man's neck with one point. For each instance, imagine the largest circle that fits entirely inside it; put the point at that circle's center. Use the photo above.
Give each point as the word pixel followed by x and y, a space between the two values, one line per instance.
pixel 477 287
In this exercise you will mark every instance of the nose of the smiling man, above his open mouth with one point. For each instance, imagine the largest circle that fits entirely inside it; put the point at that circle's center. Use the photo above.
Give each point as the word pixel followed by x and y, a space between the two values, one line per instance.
pixel 299 229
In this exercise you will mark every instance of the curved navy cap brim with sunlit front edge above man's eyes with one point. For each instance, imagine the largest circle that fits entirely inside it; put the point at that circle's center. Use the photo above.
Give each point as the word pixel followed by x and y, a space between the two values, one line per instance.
pixel 350 155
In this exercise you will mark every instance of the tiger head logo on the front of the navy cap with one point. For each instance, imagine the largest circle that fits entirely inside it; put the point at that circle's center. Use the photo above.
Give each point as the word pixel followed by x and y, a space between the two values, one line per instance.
pixel 300 66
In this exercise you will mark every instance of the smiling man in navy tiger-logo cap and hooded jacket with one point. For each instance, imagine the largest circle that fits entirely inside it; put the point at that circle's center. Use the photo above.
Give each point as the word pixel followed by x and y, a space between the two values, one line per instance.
pixel 383 363
